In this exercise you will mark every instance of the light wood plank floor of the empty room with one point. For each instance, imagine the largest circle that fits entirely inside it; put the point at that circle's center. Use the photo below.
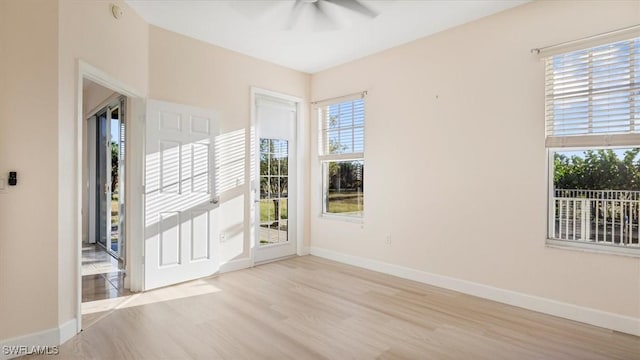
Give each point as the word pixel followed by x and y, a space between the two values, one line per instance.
pixel 308 308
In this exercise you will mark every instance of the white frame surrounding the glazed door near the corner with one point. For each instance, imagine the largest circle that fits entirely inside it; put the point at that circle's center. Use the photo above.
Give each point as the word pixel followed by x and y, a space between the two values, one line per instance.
pixel 300 165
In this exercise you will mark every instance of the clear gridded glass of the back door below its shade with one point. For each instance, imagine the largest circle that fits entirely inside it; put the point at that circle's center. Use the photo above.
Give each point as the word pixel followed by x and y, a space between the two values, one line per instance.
pixel 274 181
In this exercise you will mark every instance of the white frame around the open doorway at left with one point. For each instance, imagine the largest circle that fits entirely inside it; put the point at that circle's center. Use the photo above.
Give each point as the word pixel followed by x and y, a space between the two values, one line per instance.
pixel 134 159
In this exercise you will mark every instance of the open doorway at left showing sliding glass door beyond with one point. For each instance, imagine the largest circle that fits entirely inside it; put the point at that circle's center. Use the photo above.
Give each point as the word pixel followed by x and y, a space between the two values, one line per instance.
pixel 103 247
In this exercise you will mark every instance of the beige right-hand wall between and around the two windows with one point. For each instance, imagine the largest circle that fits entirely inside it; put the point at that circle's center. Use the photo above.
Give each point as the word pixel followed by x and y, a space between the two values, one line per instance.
pixel 455 158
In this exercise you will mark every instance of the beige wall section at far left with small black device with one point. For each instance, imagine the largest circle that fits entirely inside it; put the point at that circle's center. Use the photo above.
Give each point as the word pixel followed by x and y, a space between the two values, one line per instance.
pixel 28 142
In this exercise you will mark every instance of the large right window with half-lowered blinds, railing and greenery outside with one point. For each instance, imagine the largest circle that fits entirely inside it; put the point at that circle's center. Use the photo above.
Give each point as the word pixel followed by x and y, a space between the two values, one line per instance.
pixel 593 138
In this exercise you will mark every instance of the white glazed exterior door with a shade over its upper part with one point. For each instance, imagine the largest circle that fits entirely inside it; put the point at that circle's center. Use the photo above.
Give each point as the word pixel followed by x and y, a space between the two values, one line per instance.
pixel 276 183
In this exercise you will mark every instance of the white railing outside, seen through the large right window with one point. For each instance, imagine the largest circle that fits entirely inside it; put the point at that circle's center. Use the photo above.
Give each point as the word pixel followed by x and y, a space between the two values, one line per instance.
pixel 596 216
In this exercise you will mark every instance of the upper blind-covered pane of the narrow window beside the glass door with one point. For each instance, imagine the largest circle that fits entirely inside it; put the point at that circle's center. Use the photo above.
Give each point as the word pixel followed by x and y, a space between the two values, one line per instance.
pixel 342 130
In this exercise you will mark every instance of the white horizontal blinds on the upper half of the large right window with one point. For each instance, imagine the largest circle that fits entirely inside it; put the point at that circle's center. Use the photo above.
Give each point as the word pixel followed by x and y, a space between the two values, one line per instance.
pixel 592 94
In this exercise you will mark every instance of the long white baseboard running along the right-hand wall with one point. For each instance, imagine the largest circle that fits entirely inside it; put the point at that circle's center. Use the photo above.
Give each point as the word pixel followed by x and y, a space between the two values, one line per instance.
pixel 586 315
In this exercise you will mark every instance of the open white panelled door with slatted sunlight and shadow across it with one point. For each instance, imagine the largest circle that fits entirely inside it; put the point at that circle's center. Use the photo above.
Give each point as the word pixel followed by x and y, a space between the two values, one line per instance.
pixel 181 206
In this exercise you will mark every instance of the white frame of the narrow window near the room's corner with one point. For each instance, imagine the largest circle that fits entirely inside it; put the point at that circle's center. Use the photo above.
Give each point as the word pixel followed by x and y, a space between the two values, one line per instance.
pixel 324 159
